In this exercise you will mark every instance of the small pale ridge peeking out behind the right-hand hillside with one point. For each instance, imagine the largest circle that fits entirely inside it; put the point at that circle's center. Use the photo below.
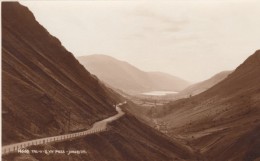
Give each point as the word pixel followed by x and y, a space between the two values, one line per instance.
pixel 200 87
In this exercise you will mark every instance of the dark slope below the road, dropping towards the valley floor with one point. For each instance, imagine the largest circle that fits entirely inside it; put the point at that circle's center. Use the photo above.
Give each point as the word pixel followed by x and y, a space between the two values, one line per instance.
pixel 127 140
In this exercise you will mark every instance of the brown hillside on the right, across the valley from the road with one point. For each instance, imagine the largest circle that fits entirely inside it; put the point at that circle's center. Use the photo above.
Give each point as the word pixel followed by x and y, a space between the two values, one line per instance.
pixel 222 122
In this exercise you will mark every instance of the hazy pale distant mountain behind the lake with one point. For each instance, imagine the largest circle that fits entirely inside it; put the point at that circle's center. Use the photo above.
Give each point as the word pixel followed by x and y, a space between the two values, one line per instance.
pixel 122 75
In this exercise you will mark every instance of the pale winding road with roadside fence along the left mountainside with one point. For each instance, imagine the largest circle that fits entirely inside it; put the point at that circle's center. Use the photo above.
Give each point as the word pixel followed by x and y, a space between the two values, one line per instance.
pixel 96 128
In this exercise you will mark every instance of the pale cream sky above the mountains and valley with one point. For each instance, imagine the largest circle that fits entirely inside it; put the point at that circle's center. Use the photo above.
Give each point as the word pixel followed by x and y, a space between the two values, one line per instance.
pixel 191 39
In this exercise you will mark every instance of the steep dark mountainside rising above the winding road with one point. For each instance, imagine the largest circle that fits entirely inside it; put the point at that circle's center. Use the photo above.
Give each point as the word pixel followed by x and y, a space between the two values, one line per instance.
pixel 43 84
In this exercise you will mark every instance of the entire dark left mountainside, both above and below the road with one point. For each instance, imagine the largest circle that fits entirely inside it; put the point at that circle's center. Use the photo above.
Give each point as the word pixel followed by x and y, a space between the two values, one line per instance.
pixel 44 87
